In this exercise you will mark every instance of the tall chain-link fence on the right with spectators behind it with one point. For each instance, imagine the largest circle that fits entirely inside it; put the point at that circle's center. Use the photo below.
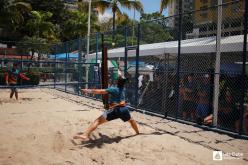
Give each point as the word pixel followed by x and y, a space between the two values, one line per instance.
pixel 182 84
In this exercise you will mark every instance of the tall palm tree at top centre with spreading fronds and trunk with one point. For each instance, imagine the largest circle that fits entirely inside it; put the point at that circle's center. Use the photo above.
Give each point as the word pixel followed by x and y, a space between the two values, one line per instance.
pixel 115 5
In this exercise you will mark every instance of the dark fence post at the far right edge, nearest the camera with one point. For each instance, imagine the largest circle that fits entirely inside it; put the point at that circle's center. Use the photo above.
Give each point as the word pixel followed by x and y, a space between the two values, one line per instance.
pixel 244 68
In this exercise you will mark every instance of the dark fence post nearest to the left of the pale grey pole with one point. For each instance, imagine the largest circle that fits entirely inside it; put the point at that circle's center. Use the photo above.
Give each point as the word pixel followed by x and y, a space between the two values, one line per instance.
pixel 178 57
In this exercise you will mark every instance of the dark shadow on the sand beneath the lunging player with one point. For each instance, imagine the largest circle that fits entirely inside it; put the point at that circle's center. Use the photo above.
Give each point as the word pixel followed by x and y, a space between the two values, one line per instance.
pixel 104 139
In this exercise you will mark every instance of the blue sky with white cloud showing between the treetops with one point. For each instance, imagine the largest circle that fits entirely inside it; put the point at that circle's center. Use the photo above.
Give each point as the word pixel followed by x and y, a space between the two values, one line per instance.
pixel 150 6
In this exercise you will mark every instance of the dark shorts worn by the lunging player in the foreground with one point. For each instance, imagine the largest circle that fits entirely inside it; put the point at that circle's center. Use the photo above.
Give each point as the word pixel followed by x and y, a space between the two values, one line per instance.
pixel 118 112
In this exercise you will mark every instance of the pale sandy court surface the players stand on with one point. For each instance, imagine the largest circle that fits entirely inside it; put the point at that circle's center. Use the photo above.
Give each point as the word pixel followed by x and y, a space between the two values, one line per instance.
pixel 38 130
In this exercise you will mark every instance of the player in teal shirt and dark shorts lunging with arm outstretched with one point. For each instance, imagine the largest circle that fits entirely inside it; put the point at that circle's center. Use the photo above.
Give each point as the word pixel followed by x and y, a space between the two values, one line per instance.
pixel 117 109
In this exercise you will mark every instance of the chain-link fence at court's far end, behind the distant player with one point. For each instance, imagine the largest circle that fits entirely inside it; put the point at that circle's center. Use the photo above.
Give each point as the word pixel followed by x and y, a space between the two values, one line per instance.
pixel 61 66
